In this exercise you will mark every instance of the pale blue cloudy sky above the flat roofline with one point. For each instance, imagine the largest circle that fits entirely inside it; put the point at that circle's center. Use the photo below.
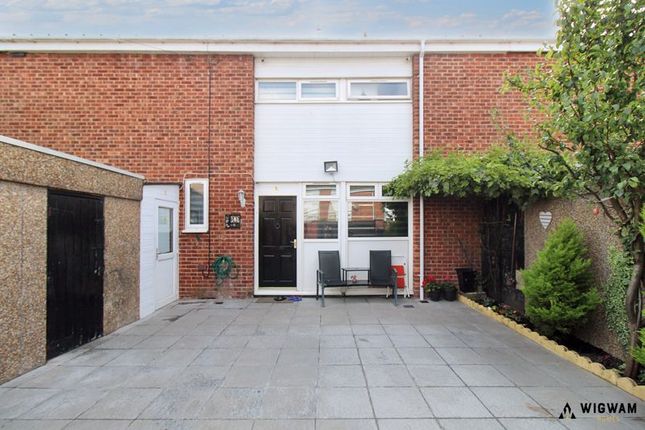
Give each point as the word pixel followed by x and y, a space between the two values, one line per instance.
pixel 288 19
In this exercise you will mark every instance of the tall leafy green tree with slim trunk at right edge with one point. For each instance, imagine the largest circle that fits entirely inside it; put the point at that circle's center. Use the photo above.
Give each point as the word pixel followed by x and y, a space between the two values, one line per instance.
pixel 589 94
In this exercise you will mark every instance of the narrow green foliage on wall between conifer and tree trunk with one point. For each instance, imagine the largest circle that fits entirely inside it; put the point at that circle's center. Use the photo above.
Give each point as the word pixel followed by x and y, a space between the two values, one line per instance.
pixel 614 292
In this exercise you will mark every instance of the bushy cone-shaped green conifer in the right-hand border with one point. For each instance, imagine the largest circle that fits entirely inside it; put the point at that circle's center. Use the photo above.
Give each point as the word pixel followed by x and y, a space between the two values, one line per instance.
pixel 558 285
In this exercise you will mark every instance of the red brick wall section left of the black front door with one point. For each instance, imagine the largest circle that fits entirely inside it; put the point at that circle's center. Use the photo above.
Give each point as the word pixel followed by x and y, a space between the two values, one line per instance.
pixel 149 114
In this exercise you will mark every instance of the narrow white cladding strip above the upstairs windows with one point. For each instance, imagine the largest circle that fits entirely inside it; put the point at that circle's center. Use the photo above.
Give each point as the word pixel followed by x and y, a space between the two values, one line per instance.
pixel 319 68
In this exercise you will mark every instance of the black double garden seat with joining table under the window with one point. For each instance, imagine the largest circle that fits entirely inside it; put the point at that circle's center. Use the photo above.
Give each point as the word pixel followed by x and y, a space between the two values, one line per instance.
pixel 331 275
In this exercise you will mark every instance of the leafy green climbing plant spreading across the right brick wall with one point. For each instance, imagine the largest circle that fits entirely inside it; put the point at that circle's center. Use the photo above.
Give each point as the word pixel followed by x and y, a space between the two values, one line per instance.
pixel 514 172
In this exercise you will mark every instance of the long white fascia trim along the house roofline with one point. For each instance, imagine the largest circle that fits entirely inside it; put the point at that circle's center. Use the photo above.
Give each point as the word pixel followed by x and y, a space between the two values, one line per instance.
pixel 263 47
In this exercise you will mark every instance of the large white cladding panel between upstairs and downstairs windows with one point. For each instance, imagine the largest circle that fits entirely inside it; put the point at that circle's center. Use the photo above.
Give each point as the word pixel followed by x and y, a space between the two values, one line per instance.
pixel 370 141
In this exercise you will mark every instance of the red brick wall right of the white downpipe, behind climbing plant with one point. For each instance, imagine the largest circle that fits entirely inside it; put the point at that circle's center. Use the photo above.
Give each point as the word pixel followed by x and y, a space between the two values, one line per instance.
pixel 464 109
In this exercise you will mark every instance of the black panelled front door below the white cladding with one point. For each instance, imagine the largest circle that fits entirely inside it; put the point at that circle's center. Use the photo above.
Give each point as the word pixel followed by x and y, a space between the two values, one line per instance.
pixel 277 241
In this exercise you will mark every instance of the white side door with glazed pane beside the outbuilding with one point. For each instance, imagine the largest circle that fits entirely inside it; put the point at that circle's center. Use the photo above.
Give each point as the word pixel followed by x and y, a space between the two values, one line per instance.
pixel 159 247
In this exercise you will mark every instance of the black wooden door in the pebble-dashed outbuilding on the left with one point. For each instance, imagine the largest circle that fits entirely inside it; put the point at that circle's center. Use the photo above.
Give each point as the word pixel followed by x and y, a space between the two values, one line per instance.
pixel 74 271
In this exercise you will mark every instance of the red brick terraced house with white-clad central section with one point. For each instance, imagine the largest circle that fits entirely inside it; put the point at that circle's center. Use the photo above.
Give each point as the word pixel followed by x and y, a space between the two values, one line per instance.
pixel 244 128
